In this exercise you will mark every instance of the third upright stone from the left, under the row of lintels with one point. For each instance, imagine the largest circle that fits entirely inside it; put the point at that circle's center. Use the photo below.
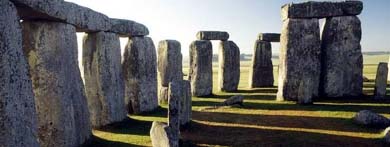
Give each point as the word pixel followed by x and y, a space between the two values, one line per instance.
pixel 104 84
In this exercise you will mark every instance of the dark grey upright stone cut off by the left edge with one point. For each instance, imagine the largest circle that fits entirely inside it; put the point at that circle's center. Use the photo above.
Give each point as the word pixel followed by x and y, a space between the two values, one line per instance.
pixel 18 123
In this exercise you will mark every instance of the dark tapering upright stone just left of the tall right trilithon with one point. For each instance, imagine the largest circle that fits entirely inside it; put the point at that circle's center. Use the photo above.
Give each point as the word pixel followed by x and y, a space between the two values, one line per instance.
pixel 261 73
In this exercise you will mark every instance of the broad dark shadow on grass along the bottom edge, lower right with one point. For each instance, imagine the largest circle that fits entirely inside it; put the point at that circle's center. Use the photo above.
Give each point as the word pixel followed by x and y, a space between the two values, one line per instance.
pixel 243 136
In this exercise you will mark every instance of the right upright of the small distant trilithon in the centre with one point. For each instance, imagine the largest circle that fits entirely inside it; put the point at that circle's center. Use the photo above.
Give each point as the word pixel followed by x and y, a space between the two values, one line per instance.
pixel 229 66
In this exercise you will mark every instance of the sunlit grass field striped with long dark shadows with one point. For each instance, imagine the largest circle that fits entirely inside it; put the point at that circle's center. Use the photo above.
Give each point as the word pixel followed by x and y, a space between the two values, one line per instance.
pixel 262 121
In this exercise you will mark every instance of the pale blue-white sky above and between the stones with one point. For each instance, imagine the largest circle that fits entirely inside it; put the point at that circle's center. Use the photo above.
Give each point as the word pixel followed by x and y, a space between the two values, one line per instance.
pixel 243 19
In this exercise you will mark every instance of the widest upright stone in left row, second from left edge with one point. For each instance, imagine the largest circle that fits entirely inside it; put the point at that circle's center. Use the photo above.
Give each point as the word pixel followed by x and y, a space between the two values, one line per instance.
pixel 51 49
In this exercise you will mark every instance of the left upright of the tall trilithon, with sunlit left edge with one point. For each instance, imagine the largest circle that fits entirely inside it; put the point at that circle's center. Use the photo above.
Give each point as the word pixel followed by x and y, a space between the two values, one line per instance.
pixel 299 59
